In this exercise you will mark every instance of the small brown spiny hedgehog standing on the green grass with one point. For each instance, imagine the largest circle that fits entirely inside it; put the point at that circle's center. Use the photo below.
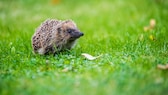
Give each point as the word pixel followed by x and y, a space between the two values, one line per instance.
pixel 54 36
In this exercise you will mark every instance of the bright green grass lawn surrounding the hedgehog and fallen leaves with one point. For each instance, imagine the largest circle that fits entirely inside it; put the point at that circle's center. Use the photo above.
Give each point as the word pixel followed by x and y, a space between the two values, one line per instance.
pixel 112 28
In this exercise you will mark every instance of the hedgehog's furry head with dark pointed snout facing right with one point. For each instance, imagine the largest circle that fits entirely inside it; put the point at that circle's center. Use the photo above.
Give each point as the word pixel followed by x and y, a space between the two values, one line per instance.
pixel 69 30
